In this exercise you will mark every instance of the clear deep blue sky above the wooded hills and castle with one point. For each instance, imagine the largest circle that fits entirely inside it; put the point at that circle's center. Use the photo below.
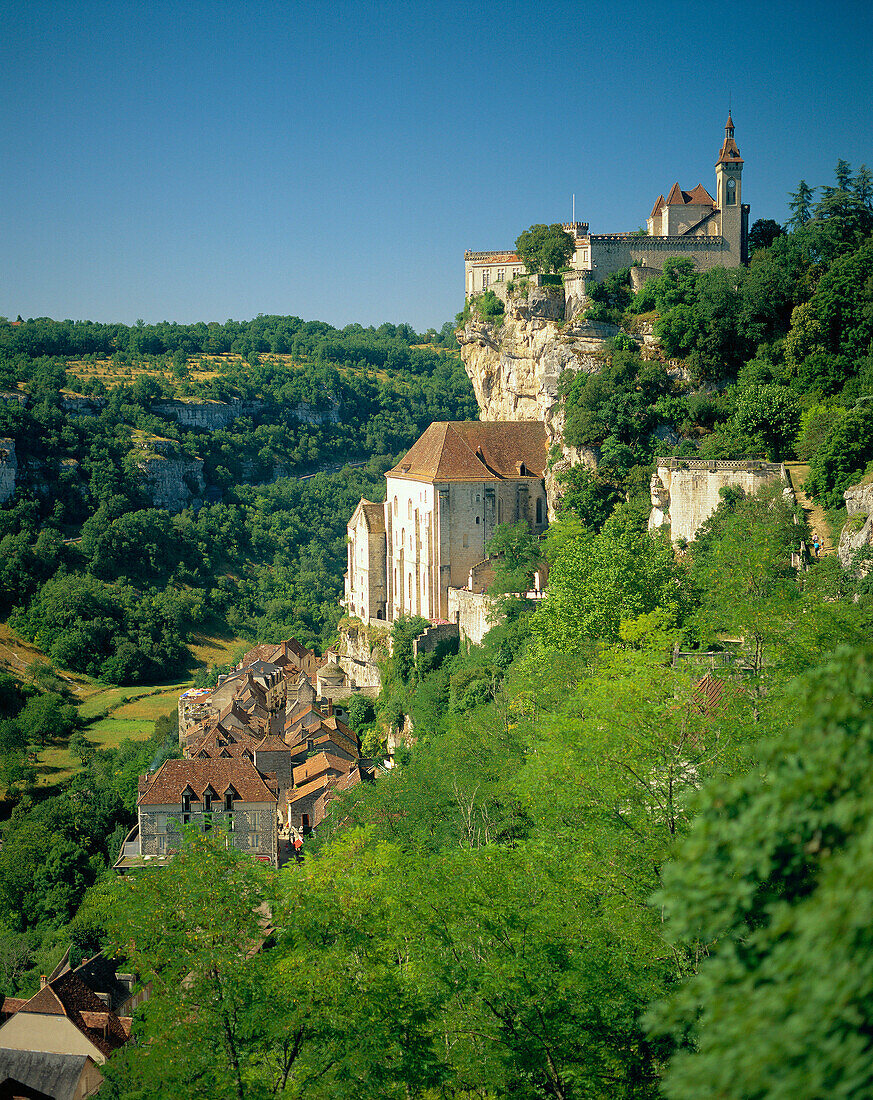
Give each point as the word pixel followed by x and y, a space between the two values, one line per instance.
pixel 202 161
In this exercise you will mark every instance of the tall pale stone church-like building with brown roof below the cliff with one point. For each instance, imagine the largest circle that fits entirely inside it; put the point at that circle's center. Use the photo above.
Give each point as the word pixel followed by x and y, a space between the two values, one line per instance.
pixel 445 500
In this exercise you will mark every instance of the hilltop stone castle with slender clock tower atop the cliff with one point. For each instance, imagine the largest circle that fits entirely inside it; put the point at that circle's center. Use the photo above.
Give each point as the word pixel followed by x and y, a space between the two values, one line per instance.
pixel 712 233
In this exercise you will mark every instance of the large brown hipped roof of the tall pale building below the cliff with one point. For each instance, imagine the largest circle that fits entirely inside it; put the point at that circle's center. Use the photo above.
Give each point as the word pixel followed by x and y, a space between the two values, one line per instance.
pixel 474 450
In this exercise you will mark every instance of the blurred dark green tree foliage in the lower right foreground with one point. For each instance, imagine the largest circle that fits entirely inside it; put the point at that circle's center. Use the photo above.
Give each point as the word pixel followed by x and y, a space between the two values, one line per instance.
pixel 775 884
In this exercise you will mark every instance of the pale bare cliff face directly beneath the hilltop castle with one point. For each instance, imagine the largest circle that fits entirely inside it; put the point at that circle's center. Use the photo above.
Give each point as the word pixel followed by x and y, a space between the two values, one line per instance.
pixel 516 368
